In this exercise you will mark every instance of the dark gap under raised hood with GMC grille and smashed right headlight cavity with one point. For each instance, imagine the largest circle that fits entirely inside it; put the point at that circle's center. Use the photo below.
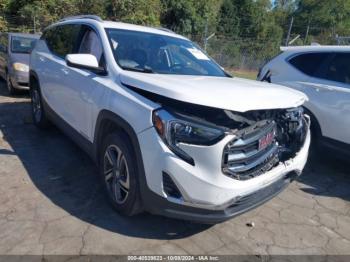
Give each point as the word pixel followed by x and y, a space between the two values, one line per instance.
pixel 262 139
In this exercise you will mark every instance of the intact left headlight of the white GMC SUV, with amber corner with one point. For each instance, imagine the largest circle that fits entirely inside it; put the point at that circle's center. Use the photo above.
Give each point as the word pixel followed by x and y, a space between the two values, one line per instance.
pixel 175 130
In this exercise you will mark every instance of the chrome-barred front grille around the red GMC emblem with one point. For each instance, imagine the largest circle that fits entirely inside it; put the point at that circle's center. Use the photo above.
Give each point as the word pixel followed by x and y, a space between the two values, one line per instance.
pixel 242 157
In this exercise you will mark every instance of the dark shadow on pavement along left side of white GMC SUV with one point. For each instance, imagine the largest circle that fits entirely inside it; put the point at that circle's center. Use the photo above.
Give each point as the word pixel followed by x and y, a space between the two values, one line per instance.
pixel 67 176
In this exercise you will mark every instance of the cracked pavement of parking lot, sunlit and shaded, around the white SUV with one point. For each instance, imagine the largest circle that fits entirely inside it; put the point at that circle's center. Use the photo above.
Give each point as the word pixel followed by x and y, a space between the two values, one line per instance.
pixel 51 202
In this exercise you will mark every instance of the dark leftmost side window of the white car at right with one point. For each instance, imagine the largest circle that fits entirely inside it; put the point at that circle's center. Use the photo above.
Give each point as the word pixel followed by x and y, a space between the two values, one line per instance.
pixel 309 63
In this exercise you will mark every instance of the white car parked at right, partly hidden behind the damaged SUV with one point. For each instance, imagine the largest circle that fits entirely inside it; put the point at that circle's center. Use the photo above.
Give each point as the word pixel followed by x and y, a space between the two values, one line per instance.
pixel 323 74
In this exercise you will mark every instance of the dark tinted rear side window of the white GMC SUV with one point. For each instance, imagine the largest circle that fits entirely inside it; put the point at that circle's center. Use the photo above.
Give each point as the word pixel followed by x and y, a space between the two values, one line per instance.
pixel 61 40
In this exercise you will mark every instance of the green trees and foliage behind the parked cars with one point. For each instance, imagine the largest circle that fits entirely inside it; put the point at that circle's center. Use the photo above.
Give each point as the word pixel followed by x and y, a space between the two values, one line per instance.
pixel 245 30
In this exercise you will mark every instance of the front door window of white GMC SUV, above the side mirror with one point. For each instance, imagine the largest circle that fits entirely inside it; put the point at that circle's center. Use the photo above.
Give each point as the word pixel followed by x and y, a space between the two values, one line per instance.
pixel 91 44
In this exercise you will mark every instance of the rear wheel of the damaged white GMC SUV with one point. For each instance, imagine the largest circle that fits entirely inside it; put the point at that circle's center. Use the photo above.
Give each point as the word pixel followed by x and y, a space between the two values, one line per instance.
pixel 38 114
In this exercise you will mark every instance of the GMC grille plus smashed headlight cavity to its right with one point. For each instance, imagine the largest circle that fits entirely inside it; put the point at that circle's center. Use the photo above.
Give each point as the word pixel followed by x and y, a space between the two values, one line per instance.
pixel 274 136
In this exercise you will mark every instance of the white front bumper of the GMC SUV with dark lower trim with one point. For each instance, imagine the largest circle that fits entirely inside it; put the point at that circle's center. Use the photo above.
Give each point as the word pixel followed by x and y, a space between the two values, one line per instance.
pixel 208 196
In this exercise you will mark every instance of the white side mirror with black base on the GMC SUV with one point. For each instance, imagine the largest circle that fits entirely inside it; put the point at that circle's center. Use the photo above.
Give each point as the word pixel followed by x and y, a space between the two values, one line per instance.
pixel 85 61
